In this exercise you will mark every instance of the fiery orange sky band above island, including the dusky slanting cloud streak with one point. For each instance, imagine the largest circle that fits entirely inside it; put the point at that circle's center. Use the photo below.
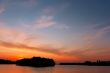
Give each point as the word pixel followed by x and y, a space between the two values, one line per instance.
pixel 15 52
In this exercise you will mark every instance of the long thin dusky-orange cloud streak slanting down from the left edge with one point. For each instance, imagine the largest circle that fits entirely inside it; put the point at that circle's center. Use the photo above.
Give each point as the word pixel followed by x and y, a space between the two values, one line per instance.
pixel 25 46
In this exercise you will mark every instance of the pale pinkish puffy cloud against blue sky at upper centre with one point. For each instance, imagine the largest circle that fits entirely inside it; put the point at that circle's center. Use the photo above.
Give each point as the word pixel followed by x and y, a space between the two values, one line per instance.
pixel 47 21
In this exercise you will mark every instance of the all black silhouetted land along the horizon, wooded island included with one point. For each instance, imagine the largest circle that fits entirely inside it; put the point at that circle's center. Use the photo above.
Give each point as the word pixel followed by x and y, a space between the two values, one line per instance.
pixel 45 62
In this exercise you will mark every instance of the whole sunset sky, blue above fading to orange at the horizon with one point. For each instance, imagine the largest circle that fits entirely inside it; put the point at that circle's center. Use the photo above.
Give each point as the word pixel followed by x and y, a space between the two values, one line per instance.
pixel 65 30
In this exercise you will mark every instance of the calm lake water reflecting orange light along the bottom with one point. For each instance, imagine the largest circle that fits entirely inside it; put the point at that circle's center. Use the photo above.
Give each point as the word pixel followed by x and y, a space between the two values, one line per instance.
pixel 56 69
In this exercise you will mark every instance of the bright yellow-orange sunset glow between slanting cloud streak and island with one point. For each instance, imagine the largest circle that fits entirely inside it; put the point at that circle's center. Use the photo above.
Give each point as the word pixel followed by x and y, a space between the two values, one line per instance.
pixel 20 53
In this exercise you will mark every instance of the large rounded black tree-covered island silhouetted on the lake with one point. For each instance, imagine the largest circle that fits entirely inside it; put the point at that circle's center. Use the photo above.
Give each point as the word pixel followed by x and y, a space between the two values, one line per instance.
pixel 36 62
